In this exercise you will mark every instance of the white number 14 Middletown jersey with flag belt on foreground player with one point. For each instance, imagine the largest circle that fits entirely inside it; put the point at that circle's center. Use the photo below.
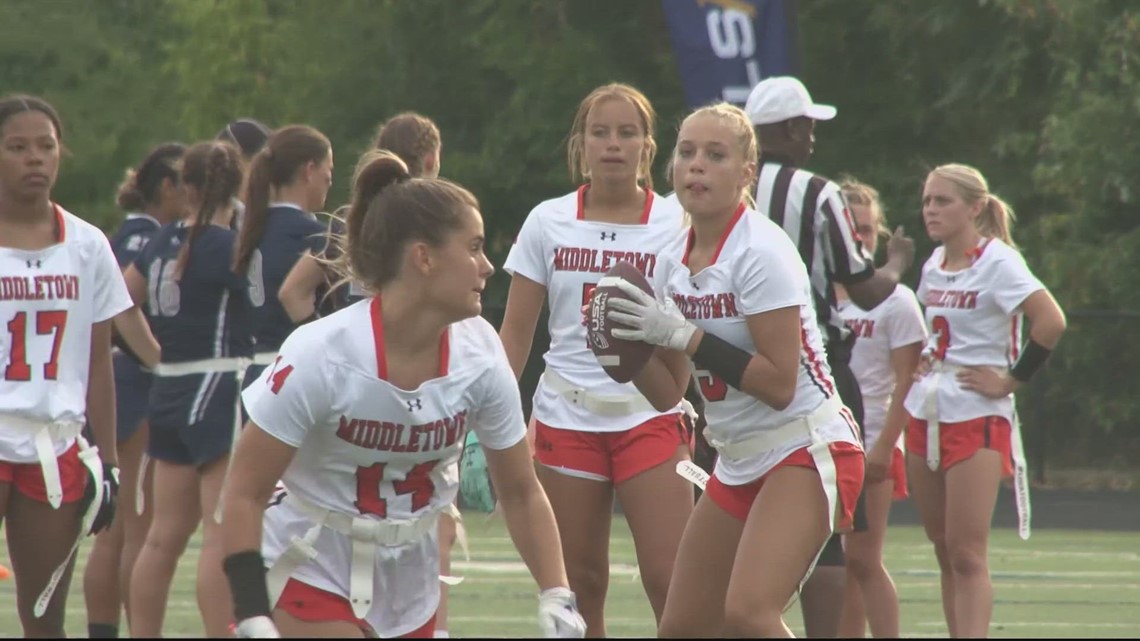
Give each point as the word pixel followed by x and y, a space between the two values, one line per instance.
pixel 376 460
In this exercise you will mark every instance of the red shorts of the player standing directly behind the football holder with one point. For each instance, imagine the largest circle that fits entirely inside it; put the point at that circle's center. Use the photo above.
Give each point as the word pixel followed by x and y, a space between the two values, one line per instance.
pixel 614 457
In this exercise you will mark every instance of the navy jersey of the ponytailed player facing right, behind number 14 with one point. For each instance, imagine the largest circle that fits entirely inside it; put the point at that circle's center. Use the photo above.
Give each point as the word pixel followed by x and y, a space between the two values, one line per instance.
pixel 289 233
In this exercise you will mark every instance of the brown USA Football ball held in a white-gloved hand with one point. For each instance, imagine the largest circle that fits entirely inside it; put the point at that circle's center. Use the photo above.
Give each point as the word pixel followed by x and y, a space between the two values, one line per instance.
pixel 622 360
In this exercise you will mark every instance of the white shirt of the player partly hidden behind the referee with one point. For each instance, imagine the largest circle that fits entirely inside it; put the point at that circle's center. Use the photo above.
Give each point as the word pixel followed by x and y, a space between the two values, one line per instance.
pixel 894 323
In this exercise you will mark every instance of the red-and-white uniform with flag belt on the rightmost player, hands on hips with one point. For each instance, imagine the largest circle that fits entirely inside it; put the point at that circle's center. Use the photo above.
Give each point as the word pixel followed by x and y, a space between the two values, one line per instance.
pixel 975 322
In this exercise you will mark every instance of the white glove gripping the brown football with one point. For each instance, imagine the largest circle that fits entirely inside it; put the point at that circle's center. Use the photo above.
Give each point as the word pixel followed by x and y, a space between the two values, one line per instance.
pixel 653 322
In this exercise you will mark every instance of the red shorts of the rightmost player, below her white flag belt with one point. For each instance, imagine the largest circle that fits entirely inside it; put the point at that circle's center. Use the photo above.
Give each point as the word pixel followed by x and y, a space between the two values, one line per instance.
pixel 963 441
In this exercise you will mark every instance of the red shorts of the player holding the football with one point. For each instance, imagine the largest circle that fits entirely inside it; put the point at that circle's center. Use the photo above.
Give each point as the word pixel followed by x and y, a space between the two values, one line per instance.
pixel 851 464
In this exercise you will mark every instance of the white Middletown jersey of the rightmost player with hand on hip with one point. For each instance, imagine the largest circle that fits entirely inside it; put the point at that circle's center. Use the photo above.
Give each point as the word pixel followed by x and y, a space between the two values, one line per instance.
pixel 974 321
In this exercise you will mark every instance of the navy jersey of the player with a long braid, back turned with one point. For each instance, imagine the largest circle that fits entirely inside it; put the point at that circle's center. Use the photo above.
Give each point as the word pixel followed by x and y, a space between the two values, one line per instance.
pixel 202 315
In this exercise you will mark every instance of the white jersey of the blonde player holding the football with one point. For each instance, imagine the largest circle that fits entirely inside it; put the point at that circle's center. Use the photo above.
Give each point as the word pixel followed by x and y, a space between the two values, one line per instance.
pixel 756 270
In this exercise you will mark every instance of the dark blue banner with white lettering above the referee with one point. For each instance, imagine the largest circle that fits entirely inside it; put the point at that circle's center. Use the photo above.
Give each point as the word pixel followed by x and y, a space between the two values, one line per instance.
pixel 726 47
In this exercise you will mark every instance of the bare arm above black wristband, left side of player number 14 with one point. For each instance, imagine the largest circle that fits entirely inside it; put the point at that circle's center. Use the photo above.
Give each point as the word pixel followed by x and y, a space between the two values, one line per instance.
pixel 258 464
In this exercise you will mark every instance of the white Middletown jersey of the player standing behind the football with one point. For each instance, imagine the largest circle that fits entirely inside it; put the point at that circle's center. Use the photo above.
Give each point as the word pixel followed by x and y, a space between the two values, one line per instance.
pixel 567 255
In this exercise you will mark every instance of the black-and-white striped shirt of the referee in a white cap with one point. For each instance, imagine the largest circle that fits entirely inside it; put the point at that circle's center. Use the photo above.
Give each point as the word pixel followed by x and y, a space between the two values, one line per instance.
pixel 812 210
